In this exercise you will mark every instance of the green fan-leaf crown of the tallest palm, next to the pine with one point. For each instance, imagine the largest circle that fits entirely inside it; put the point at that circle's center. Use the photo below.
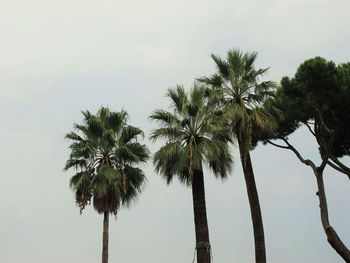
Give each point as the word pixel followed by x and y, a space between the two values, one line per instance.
pixel 242 95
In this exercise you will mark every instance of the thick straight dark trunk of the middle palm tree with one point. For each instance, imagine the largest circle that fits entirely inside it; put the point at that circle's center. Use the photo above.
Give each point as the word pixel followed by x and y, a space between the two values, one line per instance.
pixel 200 218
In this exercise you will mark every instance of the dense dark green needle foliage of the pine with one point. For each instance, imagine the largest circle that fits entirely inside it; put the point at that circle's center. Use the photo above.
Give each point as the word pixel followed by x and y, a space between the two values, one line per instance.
pixel 319 89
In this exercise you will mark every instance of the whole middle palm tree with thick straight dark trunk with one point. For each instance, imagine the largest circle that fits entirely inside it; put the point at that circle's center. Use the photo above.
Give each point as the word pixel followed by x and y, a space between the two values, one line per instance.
pixel 193 137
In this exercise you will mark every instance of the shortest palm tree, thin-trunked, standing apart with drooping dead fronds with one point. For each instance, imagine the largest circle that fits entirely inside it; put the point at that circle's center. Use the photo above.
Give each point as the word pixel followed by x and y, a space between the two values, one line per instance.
pixel 104 152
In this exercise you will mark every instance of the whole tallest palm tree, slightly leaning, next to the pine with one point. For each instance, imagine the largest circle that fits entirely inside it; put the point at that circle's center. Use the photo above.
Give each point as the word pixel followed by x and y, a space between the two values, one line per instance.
pixel 242 97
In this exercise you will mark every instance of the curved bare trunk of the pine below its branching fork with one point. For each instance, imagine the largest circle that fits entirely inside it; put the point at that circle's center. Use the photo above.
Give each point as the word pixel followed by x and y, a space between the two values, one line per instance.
pixel 332 236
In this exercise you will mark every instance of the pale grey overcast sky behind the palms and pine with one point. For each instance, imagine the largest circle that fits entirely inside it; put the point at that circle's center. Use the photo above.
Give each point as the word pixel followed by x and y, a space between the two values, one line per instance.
pixel 60 57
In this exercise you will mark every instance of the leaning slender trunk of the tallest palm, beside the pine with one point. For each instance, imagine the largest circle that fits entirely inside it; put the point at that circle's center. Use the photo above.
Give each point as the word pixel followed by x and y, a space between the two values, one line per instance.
pixel 259 238
